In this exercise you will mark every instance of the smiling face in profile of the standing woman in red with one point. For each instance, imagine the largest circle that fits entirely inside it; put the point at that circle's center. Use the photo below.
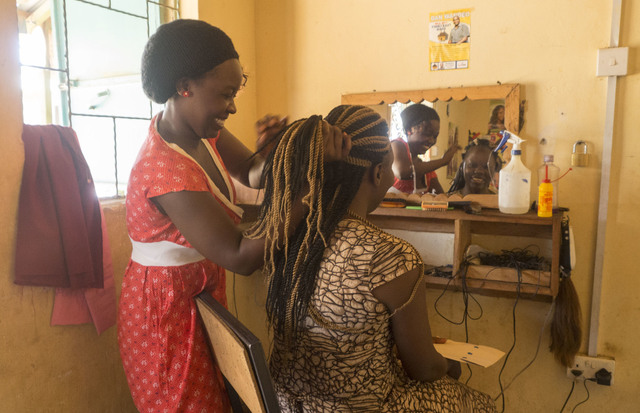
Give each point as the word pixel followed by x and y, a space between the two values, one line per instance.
pixel 213 98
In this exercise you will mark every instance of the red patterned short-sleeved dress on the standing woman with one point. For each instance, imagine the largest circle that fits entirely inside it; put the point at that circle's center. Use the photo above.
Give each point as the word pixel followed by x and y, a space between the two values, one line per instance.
pixel 164 351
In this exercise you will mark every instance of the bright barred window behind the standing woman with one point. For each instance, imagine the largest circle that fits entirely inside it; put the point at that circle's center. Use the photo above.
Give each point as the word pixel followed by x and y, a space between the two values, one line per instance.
pixel 80 63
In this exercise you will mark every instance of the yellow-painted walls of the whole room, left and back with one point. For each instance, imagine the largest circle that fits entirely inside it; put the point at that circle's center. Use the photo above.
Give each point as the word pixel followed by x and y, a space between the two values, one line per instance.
pixel 301 56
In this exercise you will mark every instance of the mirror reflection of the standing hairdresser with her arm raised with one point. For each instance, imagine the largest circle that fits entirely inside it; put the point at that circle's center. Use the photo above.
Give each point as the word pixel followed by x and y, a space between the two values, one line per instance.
pixel 413 175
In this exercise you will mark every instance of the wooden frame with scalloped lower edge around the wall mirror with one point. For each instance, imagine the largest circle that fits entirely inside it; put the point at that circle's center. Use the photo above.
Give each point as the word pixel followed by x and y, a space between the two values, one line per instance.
pixel 509 92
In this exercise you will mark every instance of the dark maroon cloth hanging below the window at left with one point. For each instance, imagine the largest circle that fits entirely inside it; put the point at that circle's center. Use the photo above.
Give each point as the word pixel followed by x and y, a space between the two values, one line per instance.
pixel 59 240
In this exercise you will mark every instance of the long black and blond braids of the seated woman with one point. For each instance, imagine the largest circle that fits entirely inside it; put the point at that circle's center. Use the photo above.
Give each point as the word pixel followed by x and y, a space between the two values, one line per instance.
pixel 296 166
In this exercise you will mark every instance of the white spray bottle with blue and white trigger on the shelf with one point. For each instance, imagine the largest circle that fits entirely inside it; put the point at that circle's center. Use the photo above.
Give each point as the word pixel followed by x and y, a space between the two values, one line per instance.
pixel 514 191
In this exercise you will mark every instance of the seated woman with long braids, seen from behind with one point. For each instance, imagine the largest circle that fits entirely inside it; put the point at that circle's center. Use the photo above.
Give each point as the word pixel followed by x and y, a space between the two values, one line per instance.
pixel 347 301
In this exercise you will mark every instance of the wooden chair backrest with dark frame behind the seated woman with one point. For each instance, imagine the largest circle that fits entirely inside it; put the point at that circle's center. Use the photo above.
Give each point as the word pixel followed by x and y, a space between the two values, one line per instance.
pixel 240 356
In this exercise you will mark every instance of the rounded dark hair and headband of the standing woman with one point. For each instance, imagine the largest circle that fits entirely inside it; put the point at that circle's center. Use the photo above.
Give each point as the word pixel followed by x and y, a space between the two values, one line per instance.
pixel 183 48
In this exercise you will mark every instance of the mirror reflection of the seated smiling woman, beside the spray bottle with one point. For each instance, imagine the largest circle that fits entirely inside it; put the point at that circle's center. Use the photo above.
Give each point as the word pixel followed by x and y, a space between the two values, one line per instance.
pixel 477 171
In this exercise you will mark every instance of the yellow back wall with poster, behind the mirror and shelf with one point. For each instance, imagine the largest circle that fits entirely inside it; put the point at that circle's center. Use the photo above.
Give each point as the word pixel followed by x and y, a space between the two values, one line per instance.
pixel 309 53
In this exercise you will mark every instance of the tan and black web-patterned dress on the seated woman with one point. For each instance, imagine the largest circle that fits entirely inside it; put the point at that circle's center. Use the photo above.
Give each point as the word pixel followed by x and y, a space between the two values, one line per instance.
pixel 344 358
